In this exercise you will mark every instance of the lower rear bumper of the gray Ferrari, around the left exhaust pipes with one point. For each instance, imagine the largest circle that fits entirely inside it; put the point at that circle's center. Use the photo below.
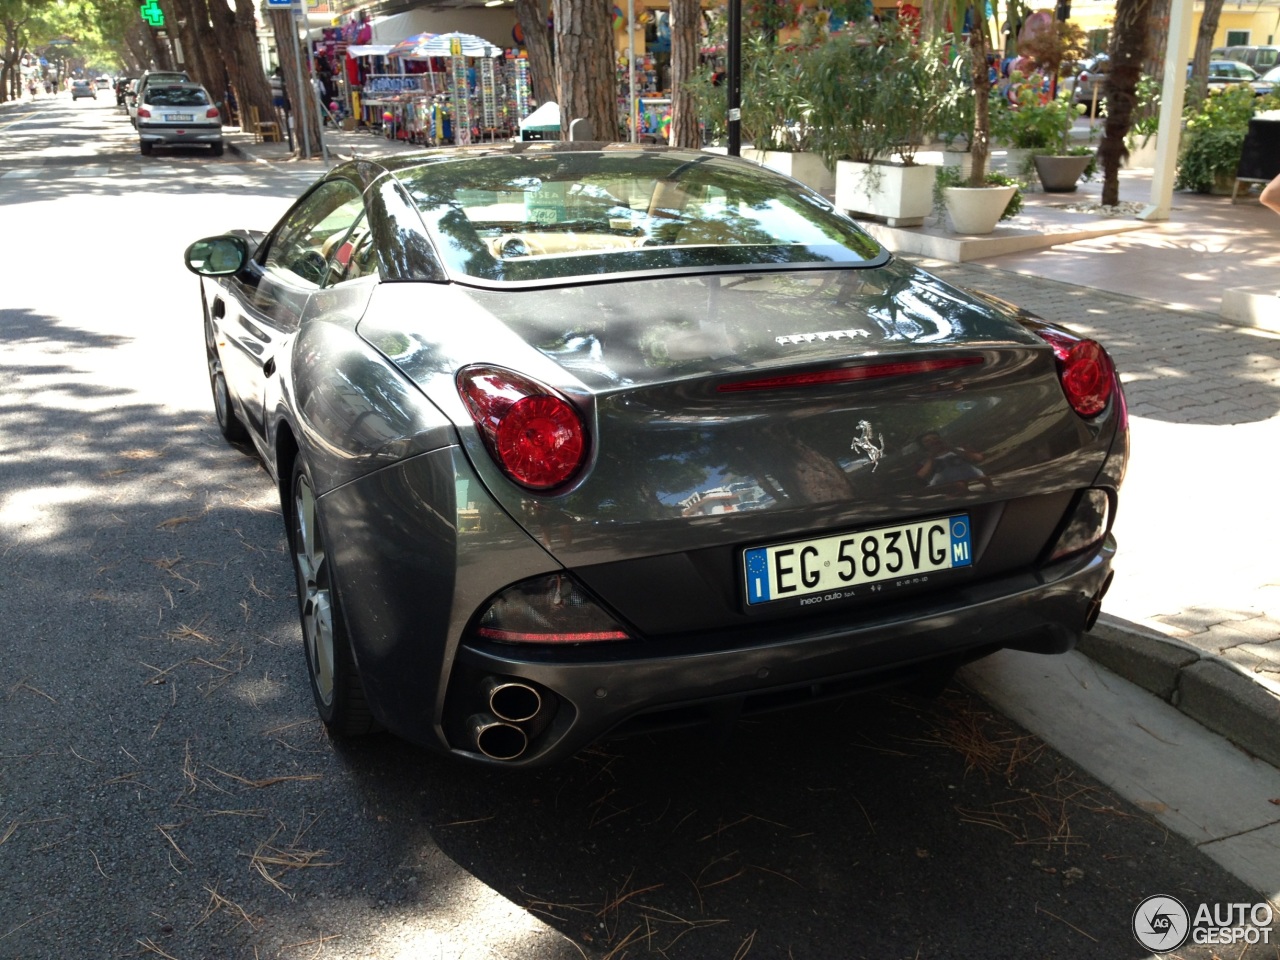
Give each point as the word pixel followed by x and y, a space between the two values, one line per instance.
pixel 632 689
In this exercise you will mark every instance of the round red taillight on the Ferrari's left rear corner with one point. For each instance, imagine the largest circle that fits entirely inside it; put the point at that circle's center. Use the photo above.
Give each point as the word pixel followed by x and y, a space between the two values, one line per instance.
pixel 534 435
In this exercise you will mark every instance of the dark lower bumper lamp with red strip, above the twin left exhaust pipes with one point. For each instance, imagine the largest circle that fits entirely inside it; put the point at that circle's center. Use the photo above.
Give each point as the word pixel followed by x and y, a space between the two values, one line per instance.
pixel 548 610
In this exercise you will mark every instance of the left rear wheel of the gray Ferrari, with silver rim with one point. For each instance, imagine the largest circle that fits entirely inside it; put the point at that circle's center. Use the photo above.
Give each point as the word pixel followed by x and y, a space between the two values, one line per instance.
pixel 340 697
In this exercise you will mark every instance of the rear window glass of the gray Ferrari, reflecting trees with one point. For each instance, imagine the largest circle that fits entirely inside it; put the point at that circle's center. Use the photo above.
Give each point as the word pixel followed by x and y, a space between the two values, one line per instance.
pixel 546 217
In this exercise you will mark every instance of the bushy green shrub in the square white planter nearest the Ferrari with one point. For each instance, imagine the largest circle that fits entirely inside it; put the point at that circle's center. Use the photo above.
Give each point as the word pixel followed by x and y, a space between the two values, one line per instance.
pixel 875 94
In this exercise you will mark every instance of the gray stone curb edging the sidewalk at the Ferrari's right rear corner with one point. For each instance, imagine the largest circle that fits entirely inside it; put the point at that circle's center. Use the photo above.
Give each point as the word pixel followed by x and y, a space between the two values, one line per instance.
pixel 1214 693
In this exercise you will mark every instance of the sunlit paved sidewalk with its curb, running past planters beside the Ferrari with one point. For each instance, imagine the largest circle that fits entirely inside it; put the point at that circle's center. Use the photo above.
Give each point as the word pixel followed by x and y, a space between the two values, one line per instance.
pixel 1195 611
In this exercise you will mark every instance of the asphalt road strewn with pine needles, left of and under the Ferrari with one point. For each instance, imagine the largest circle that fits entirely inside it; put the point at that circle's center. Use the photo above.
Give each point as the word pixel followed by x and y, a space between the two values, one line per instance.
pixel 166 789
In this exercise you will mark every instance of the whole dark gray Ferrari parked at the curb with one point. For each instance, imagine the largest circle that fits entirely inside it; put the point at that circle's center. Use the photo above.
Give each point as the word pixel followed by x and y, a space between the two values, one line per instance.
pixel 589 440
